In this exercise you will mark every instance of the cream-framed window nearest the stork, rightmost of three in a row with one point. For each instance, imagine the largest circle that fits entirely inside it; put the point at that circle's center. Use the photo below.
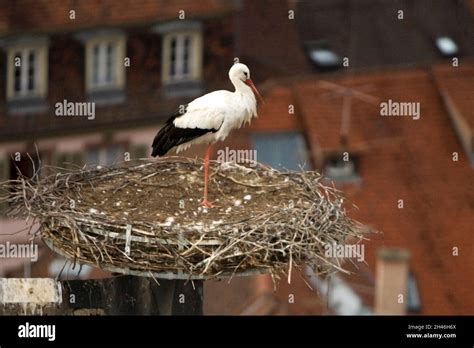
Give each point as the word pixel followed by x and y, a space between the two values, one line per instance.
pixel 181 57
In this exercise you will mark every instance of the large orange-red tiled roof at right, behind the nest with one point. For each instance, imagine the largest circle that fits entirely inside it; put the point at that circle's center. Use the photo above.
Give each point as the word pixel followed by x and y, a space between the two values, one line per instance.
pixel 410 160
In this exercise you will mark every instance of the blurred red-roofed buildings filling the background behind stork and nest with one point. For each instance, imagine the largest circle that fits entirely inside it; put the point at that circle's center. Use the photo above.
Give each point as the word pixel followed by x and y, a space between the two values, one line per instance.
pixel 324 68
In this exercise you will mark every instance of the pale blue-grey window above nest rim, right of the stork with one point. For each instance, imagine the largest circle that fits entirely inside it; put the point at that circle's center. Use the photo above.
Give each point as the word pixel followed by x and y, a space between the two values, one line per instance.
pixel 281 150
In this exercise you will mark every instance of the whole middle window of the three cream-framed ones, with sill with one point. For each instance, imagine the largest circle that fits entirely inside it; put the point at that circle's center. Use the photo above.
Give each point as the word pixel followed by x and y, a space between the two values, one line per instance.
pixel 104 65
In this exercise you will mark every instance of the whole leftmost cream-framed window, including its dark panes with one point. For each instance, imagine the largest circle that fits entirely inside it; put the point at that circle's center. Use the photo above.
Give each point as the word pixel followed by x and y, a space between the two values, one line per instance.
pixel 27 69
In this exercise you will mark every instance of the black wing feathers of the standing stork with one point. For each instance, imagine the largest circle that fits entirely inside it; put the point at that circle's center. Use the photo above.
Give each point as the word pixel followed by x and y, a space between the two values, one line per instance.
pixel 170 136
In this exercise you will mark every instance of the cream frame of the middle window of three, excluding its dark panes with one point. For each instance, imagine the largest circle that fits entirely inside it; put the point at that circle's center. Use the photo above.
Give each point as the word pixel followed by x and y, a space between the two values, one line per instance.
pixel 118 41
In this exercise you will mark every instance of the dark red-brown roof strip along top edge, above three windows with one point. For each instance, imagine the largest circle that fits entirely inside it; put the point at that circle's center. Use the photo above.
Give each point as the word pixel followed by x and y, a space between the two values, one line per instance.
pixel 52 15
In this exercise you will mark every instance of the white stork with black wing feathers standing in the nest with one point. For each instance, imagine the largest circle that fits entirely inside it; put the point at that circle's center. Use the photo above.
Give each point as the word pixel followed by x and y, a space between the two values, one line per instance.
pixel 209 119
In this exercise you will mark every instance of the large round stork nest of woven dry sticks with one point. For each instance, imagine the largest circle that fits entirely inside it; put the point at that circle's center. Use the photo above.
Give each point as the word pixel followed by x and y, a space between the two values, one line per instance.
pixel 144 217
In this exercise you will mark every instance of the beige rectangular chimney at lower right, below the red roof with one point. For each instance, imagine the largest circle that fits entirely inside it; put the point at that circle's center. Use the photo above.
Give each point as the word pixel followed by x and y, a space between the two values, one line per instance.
pixel 391 281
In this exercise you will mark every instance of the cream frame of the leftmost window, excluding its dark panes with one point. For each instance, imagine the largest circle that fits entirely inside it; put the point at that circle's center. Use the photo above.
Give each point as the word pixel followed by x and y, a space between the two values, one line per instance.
pixel 40 88
